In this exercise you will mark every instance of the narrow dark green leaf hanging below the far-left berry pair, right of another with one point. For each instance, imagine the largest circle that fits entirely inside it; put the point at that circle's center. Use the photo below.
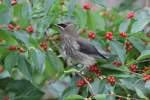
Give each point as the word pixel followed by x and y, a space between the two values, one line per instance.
pixel 24 67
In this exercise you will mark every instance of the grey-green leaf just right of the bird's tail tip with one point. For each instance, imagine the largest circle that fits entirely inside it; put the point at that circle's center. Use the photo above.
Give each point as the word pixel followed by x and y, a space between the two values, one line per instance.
pixel 119 49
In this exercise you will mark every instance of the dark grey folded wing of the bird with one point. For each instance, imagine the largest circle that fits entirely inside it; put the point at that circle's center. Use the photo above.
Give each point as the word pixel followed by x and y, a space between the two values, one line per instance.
pixel 88 48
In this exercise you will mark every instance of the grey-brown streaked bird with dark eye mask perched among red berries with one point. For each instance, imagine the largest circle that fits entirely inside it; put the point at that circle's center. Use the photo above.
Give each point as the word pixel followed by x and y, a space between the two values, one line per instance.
pixel 79 49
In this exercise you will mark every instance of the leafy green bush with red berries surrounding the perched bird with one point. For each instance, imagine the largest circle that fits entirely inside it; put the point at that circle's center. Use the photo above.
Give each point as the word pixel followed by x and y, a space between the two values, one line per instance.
pixel 32 66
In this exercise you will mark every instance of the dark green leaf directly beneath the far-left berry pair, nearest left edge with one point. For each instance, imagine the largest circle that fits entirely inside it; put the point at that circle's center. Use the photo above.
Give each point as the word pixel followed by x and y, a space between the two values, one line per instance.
pixel 11 60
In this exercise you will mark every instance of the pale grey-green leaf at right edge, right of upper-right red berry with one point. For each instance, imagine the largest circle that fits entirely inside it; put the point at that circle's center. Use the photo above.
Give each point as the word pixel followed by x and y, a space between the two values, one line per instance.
pixel 139 25
